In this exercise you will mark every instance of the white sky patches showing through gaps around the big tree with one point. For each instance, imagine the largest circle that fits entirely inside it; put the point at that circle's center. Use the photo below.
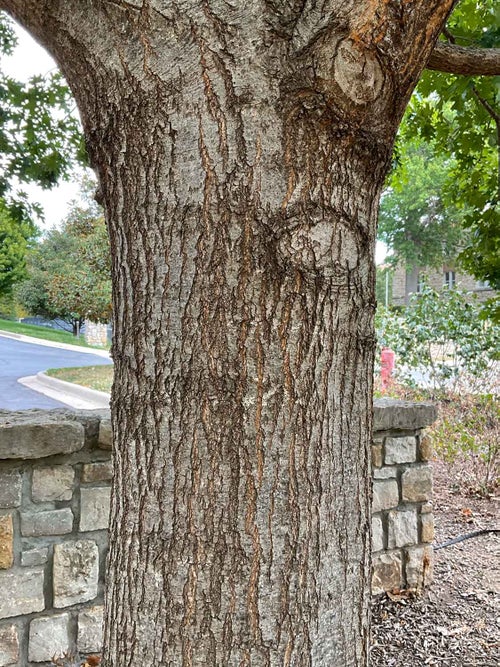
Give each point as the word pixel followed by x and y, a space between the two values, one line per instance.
pixel 30 59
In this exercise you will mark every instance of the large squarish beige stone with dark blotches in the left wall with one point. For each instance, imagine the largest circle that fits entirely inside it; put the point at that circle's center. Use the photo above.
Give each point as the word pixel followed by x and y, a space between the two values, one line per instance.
pixel 76 572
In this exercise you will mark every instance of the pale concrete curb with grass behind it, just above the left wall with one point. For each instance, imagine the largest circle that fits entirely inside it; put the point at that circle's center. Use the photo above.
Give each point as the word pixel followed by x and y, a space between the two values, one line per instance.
pixel 74 395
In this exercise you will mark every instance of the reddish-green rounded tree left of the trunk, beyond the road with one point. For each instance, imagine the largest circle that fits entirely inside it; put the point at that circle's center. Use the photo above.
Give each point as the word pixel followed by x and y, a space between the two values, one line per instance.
pixel 69 271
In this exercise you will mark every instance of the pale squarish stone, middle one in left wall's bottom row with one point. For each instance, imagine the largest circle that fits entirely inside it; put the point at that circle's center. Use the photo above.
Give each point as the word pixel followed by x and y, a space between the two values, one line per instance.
pixel 48 638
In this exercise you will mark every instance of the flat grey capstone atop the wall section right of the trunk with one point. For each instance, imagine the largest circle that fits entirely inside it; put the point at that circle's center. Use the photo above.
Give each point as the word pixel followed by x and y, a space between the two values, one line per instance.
pixel 390 414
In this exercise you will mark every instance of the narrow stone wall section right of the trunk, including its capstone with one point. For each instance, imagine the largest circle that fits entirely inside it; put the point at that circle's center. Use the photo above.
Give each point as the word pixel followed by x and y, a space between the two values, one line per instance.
pixel 402 518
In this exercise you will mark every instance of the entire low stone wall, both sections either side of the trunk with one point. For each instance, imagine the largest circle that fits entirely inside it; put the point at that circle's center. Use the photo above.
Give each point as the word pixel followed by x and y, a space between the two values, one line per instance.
pixel 55 473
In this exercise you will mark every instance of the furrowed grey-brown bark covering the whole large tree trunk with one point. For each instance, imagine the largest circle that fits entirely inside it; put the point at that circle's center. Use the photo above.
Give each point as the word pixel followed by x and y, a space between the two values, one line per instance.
pixel 241 152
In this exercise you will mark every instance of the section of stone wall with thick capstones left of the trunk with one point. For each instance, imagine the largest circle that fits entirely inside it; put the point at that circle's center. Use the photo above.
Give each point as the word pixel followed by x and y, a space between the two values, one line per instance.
pixel 55 473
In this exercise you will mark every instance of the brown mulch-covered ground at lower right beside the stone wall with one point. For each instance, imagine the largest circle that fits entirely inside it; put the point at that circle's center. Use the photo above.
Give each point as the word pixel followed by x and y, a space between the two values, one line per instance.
pixel 456 621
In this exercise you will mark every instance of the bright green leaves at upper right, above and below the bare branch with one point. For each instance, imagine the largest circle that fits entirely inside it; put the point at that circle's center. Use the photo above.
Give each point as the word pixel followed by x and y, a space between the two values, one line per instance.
pixel 460 115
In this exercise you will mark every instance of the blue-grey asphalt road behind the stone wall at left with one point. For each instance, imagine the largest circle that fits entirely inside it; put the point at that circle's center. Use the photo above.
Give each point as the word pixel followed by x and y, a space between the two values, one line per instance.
pixel 19 359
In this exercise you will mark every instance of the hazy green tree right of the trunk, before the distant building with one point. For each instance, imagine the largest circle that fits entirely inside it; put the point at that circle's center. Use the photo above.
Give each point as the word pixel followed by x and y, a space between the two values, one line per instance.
pixel 418 221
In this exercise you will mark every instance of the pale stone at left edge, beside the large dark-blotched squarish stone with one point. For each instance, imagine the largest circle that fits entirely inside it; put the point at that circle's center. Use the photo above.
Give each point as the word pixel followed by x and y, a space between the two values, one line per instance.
pixel 21 592
